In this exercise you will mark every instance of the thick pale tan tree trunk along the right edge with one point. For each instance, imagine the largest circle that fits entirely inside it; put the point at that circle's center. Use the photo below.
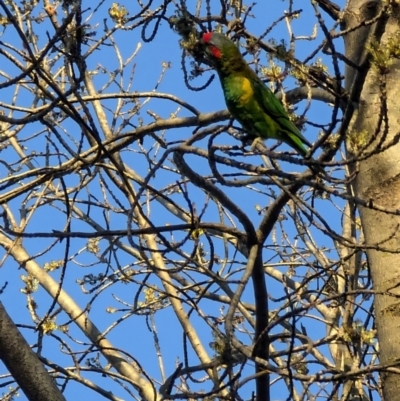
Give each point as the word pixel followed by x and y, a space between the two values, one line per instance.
pixel 378 182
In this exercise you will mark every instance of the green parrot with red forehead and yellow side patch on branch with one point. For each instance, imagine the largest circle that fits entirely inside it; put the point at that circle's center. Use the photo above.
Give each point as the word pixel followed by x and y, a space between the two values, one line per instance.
pixel 247 98
